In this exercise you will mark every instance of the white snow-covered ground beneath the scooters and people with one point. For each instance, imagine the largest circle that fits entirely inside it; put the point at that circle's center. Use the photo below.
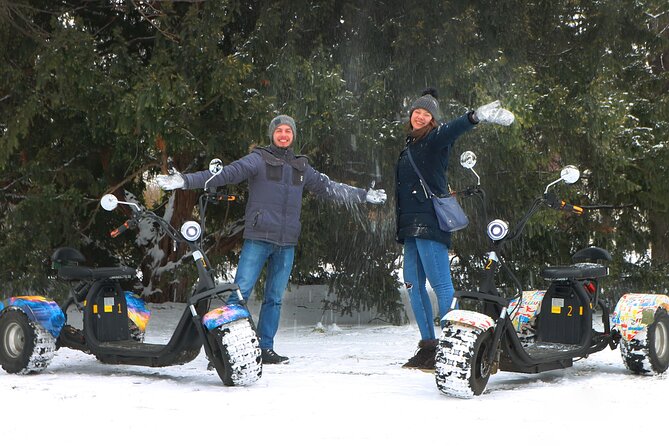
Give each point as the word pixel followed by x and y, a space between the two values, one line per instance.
pixel 344 385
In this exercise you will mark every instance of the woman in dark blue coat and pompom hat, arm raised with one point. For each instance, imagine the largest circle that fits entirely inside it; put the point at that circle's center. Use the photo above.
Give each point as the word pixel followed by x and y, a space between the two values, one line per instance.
pixel 425 245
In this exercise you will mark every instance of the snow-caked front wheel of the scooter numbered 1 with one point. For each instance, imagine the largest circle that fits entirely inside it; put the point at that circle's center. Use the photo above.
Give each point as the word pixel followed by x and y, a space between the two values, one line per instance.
pixel 237 353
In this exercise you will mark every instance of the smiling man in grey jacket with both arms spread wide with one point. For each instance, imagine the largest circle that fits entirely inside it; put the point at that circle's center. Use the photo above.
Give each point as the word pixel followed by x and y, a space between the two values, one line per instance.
pixel 277 178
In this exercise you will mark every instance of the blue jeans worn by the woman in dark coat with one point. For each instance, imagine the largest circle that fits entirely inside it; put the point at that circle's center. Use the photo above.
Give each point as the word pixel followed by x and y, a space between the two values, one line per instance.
pixel 427 259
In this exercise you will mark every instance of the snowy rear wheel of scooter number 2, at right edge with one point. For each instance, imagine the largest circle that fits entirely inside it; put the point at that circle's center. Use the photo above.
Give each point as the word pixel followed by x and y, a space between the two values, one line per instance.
pixel 649 354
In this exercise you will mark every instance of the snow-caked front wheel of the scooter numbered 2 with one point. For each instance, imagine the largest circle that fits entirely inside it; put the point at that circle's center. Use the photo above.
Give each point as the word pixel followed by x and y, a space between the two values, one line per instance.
pixel 461 367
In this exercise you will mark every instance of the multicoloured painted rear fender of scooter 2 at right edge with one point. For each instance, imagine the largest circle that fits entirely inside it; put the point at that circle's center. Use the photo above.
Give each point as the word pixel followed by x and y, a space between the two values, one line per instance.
pixel 635 311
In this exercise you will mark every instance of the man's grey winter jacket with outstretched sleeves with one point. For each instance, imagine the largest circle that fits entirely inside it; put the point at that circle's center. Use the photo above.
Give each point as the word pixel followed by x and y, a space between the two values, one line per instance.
pixel 277 178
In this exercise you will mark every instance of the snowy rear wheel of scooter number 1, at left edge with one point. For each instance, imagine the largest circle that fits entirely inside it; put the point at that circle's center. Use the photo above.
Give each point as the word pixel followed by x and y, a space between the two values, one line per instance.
pixel 25 346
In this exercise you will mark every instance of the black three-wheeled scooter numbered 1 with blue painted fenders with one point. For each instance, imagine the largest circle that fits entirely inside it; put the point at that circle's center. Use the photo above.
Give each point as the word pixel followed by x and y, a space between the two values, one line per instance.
pixel 32 327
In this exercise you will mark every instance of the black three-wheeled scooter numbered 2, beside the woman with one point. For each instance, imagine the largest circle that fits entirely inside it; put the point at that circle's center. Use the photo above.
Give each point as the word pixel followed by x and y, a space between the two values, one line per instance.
pixel 475 344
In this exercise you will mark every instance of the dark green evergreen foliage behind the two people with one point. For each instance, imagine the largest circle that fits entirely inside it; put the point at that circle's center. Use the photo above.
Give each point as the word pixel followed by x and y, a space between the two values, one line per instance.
pixel 95 95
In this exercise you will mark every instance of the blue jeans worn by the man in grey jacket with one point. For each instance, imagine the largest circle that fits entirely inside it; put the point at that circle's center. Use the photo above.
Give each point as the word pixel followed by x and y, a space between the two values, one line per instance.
pixel 279 261
